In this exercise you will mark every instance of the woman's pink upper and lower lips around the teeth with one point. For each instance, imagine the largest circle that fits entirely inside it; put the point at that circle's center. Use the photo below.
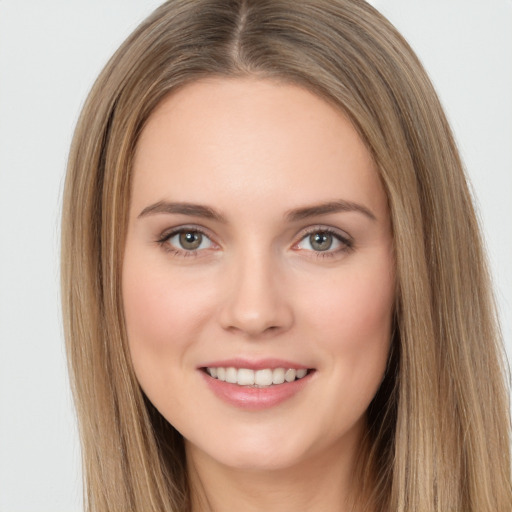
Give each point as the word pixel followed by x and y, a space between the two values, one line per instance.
pixel 254 398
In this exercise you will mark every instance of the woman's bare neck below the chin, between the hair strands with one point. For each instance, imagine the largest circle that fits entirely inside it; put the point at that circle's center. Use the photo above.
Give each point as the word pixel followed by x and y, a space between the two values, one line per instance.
pixel 325 482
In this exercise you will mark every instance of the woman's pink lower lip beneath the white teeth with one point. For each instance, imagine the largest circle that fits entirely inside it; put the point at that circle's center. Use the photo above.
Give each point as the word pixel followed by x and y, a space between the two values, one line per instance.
pixel 255 399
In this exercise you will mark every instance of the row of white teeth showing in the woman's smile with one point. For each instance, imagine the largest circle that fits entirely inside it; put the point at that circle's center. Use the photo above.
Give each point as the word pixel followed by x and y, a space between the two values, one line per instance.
pixel 259 378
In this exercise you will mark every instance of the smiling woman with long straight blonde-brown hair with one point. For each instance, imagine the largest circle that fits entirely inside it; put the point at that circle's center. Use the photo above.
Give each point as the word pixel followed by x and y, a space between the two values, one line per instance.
pixel 236 347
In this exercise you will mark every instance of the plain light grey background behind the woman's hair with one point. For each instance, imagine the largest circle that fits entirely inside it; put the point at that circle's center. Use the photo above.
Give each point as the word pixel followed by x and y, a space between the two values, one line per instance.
pixel 50 53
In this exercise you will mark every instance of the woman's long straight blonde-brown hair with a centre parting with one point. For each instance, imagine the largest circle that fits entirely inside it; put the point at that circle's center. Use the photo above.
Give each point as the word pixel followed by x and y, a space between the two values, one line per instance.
pixel 439 428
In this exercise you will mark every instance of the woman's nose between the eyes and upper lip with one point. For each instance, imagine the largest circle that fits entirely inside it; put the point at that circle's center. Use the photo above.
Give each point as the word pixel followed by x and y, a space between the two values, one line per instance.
pixel 257 302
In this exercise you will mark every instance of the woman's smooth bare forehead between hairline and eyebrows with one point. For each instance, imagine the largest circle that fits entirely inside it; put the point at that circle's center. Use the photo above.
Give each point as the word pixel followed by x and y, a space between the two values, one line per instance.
pixel 248 141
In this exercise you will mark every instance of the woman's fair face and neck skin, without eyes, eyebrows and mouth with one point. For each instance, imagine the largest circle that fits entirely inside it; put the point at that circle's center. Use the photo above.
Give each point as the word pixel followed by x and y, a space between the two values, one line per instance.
pixel 253 150
